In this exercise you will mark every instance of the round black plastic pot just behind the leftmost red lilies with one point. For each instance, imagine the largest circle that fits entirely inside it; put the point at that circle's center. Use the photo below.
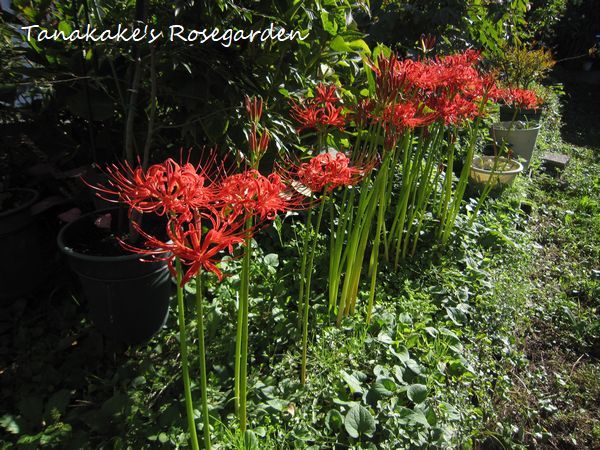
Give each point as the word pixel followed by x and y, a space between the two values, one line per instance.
pixel 128 298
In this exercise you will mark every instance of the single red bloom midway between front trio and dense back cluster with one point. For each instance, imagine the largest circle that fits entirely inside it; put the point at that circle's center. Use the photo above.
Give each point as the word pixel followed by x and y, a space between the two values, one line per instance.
pixel 328 171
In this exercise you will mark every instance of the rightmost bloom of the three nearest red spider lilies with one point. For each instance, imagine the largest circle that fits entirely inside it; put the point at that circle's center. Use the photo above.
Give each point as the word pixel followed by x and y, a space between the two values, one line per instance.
pixel 250 193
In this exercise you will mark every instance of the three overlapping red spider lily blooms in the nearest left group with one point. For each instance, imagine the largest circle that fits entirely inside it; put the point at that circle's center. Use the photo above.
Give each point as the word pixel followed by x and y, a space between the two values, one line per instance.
pixel 206 216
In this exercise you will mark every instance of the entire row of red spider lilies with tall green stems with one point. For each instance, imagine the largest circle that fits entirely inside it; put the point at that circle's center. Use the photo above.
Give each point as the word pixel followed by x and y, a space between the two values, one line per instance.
pixel 404 133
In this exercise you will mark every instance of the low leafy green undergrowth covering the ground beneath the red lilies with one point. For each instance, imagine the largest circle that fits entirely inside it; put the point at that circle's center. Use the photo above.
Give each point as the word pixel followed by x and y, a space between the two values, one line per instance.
pixel 491 343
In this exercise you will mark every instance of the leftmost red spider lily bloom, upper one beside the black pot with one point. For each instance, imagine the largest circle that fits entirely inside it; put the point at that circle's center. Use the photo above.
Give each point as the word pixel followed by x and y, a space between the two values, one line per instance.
pixel 165 188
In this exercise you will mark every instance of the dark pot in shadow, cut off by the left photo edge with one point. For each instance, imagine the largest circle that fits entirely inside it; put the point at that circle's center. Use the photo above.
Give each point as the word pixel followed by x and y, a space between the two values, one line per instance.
pixel 21 265
